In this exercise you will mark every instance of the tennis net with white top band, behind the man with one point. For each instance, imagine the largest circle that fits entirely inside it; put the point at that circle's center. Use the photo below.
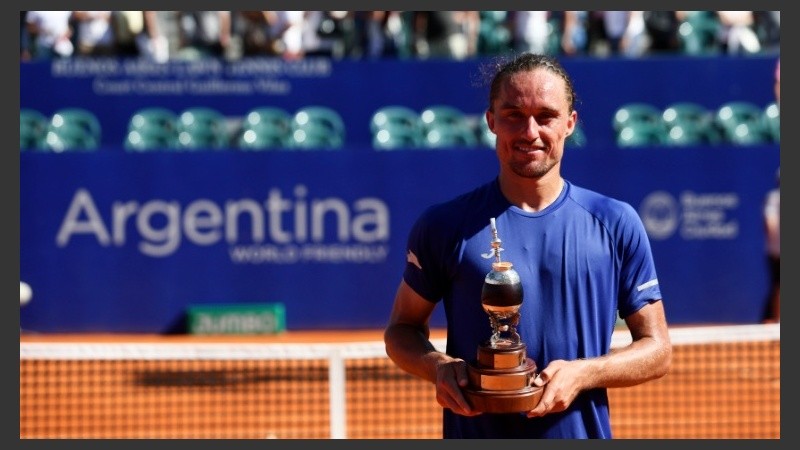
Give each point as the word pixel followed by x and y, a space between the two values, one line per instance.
pixel 724 383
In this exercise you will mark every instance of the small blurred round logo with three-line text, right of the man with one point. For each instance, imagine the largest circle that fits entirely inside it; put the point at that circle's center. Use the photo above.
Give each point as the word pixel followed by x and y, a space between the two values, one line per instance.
pixel 696 216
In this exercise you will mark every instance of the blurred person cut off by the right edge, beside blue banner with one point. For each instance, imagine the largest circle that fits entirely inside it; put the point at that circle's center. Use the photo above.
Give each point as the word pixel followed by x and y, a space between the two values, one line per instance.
pixel 772 227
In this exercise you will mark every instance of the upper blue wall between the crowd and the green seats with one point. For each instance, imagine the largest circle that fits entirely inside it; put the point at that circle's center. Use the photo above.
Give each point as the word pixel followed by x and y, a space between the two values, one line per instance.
pixel 115 89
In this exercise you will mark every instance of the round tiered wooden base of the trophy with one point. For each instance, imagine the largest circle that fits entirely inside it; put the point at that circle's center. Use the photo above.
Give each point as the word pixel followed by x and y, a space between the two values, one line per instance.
pixel 501 380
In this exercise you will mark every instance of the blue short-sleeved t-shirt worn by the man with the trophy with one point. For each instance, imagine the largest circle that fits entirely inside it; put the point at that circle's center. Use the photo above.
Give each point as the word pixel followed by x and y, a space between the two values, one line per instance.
pixel 582 260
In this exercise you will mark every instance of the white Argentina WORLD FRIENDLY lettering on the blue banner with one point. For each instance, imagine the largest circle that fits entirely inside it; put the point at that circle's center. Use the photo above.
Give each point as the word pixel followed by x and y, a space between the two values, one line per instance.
pixel 278 230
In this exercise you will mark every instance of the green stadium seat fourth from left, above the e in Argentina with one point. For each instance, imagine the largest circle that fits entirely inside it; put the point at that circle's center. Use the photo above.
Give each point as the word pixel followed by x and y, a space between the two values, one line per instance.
pixel 200 127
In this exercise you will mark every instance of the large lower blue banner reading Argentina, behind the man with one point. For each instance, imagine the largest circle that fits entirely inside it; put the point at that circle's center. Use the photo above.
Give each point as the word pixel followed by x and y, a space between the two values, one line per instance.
pixel 116 242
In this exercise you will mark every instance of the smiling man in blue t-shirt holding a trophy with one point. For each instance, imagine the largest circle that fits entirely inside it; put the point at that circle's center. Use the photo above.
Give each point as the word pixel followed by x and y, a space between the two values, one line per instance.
pixel 582 257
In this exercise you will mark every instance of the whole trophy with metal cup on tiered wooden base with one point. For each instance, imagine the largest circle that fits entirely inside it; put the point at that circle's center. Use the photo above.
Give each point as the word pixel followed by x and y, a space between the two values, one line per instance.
pixel 500 380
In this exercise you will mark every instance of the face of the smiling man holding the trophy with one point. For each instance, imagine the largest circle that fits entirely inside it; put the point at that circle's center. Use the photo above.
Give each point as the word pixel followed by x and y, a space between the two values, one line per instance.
pixel 531 119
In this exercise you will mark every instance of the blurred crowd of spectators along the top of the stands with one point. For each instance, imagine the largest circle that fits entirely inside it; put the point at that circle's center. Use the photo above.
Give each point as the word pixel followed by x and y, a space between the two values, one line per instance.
pixel 185 35
